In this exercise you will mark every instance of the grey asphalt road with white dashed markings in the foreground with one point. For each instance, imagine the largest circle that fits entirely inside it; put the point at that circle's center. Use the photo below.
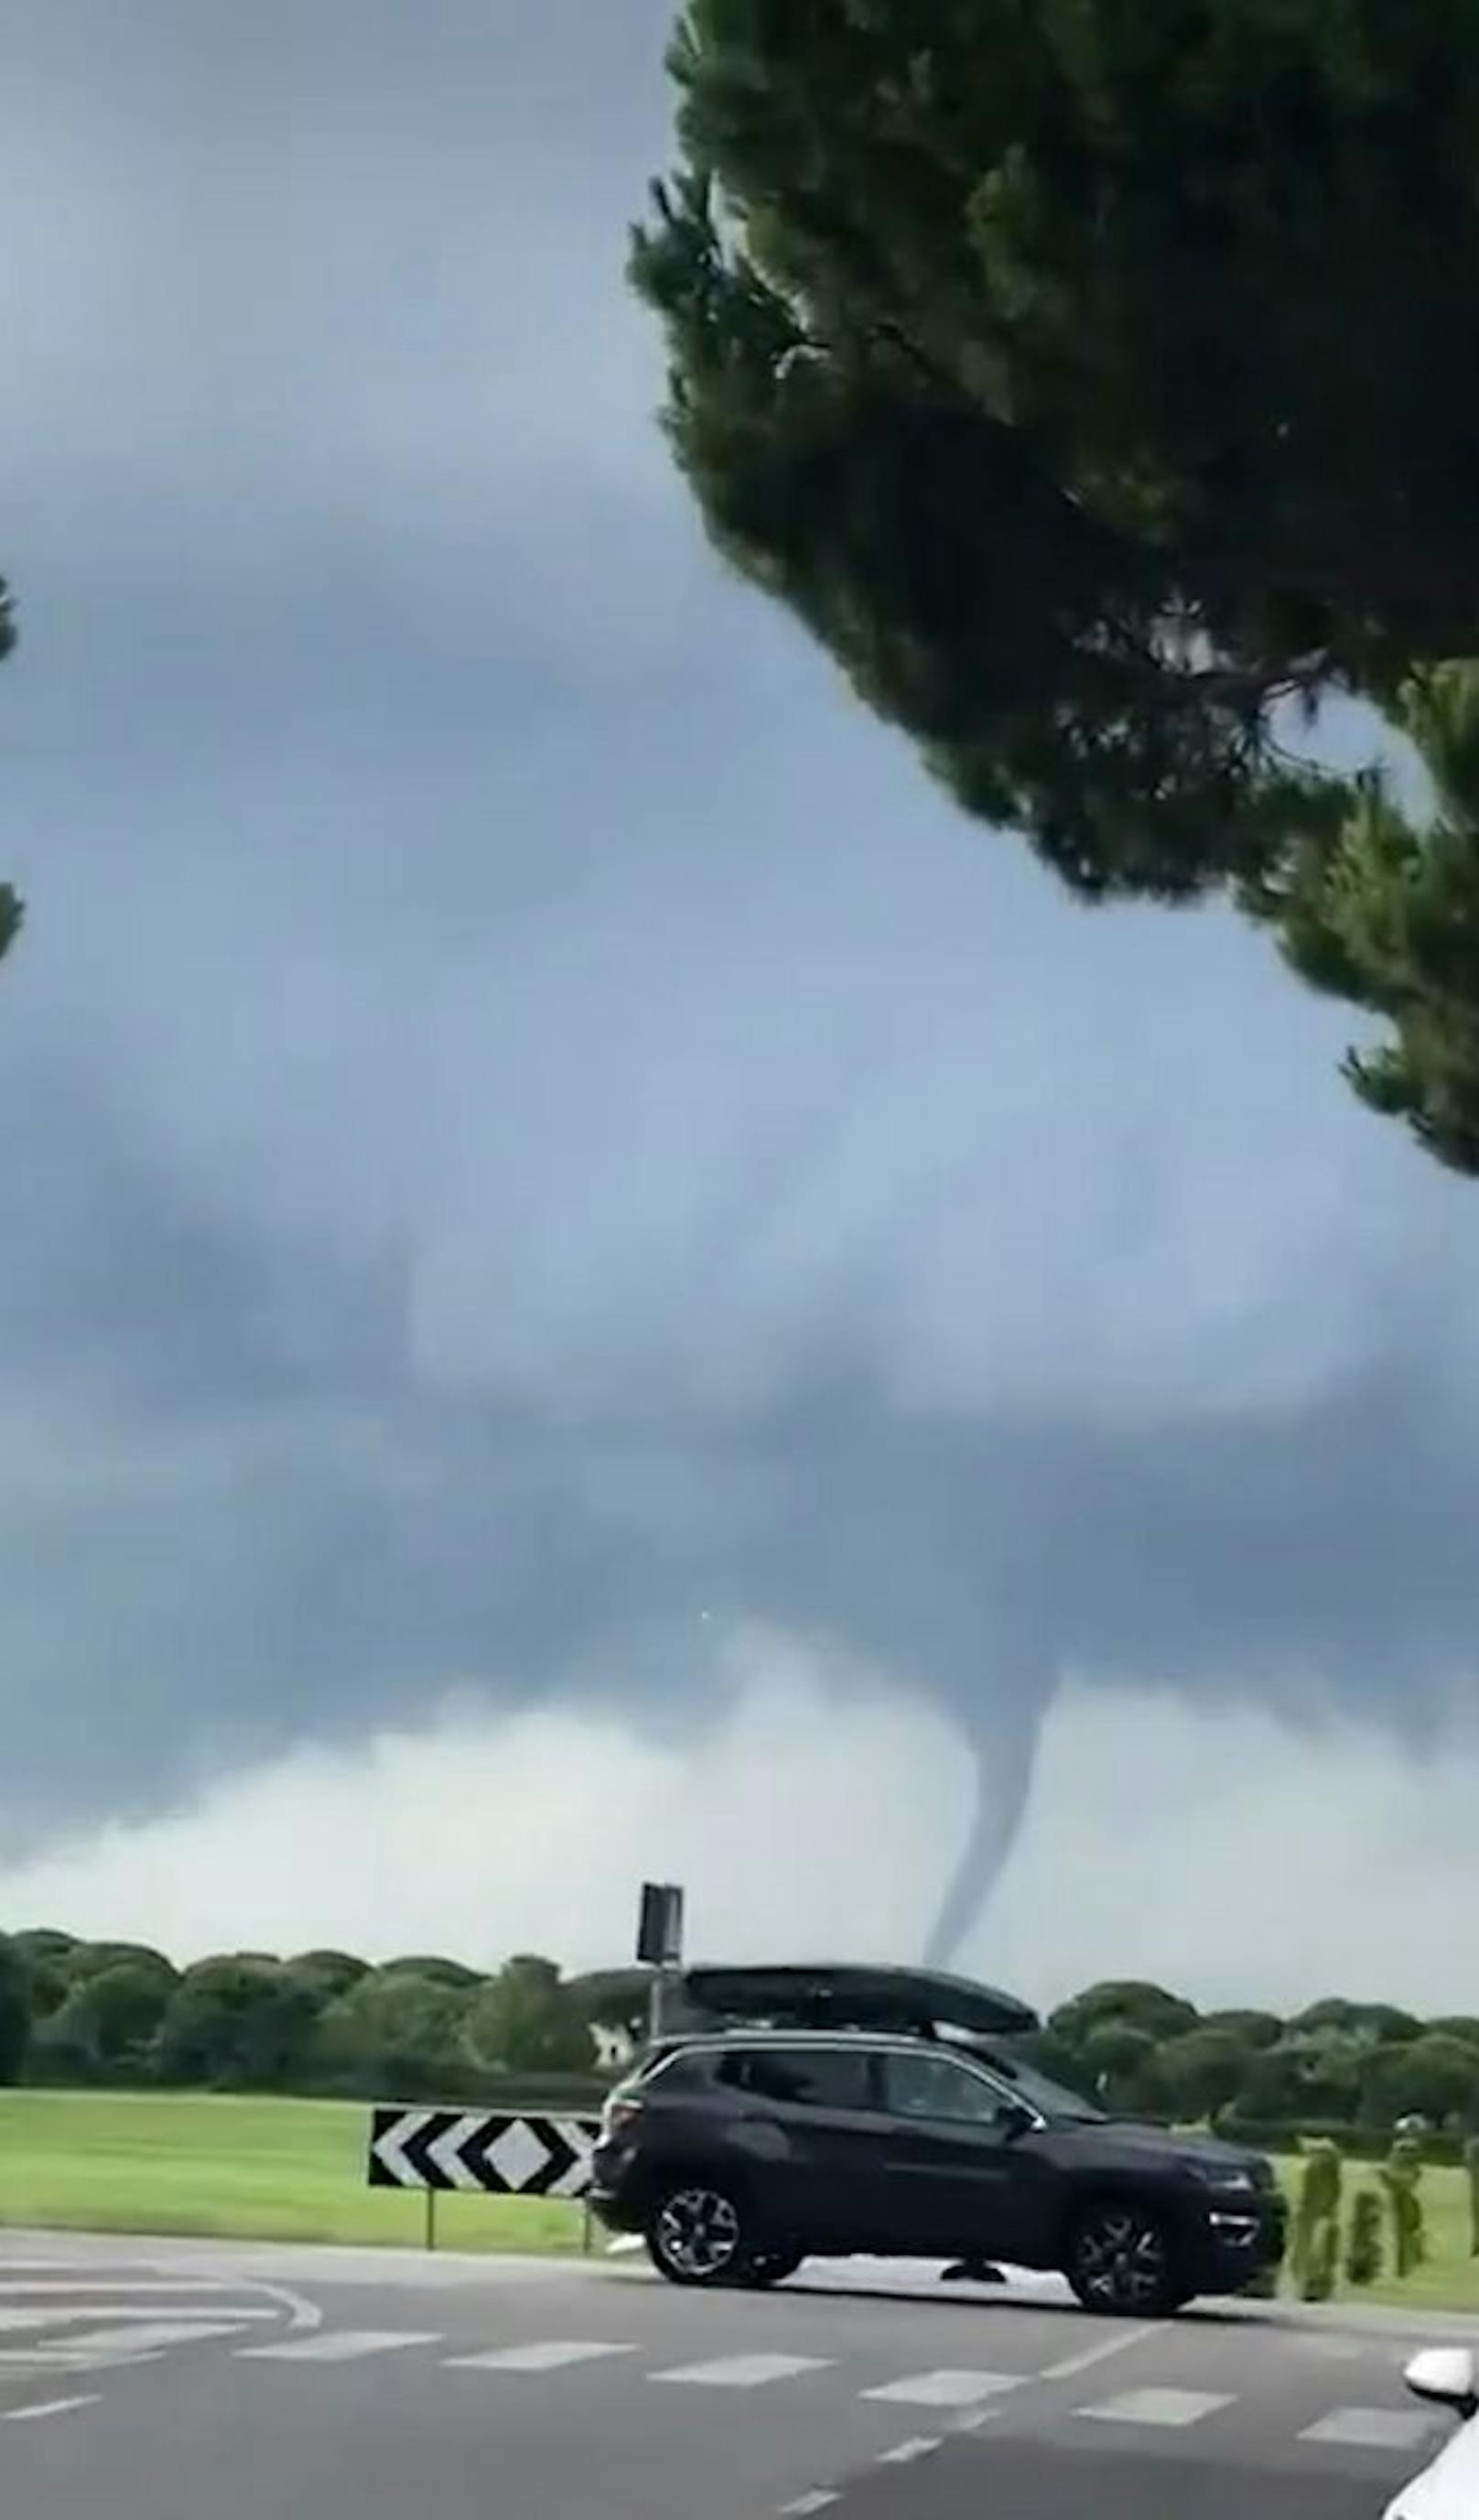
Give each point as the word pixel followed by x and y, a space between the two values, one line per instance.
pixel 173 2383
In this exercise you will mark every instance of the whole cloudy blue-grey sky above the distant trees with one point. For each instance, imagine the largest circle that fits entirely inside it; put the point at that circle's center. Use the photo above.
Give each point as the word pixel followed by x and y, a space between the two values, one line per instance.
pixel 553 1181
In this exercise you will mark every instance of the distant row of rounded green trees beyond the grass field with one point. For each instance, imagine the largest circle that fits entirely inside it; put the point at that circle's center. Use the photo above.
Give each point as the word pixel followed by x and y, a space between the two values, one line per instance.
pixel 425 2027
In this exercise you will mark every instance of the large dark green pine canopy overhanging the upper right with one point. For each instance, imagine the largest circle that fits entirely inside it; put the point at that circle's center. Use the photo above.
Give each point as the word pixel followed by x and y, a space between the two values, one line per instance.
pixel 1097 384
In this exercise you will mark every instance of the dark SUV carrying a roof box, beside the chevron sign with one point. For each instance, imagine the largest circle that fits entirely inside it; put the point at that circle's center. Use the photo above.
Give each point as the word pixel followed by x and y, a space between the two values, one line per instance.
pixel 742 2151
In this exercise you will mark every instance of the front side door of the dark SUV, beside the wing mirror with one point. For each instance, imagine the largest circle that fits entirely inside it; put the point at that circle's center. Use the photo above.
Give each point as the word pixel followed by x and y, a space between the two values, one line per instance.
pixel 961 2176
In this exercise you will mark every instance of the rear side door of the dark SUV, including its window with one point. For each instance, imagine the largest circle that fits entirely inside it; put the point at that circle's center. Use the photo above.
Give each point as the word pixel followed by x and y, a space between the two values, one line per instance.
pixel 815 2136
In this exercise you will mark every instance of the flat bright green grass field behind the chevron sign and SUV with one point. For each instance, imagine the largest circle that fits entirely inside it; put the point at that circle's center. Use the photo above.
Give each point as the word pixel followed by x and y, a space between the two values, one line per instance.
pixel 296 2171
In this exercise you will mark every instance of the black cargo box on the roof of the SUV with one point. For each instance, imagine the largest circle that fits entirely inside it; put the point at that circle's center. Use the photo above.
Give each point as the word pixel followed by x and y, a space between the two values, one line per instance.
pixel 843 1997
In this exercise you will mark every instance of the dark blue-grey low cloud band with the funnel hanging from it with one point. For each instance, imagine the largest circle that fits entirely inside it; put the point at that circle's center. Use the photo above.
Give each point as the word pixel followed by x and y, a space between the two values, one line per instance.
pixel 294 1538
